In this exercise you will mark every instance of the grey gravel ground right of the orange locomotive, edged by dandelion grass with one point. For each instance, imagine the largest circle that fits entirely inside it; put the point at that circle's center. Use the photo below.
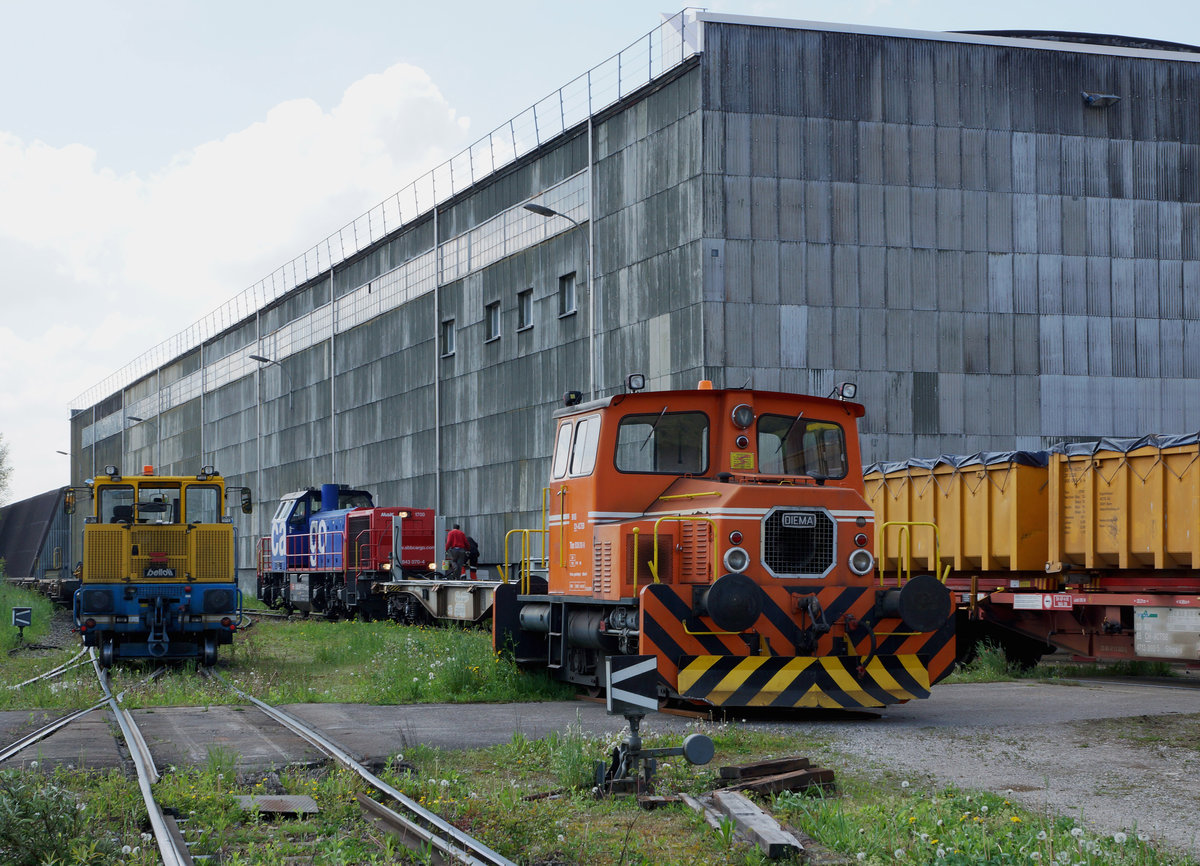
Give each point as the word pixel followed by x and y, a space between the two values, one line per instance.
pixel 1113 756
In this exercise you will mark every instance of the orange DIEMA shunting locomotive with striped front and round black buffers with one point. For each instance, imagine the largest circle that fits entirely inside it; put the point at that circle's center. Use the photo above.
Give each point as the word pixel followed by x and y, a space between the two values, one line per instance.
pixel 725 533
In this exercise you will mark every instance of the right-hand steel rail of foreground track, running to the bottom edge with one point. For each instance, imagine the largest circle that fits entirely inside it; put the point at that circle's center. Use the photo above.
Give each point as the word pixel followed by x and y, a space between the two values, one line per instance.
pixel 452 843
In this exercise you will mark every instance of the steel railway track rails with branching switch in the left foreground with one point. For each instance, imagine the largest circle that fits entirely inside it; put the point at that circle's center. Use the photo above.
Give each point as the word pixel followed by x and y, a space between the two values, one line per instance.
pixel 391 809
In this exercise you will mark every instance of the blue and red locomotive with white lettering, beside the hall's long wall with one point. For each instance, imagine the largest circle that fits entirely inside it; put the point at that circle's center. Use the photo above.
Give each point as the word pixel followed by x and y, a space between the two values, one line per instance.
pixel 331 546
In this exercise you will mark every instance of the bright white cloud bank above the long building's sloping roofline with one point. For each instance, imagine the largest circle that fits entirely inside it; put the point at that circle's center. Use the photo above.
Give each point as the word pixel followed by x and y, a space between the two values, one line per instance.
pixel 103 267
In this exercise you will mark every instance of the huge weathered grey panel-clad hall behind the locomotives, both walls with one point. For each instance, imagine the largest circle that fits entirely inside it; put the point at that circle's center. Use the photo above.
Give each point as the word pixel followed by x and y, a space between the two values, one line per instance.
pixel 994 236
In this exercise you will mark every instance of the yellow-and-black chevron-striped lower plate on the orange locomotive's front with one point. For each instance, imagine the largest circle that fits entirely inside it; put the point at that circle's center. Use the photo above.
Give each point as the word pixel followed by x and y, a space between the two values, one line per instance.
pixel 827 682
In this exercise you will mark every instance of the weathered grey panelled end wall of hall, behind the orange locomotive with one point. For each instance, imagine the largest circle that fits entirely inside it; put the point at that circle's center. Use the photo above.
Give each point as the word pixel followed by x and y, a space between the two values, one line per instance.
pixel 950 225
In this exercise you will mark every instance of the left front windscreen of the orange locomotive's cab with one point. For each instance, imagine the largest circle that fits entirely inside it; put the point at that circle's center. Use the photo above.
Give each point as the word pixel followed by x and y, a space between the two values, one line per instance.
pixel 668 443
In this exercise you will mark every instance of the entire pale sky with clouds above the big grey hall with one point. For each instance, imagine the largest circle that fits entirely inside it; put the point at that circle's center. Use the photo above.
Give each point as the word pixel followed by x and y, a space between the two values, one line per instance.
pixel 160 157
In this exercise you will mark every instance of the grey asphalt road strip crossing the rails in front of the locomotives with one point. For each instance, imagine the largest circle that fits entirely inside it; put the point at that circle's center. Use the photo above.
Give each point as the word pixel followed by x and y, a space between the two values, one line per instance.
pixel 187 736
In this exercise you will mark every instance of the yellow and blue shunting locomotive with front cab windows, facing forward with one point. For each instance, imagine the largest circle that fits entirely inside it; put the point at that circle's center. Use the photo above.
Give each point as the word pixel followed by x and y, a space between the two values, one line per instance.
pixel 159 573
